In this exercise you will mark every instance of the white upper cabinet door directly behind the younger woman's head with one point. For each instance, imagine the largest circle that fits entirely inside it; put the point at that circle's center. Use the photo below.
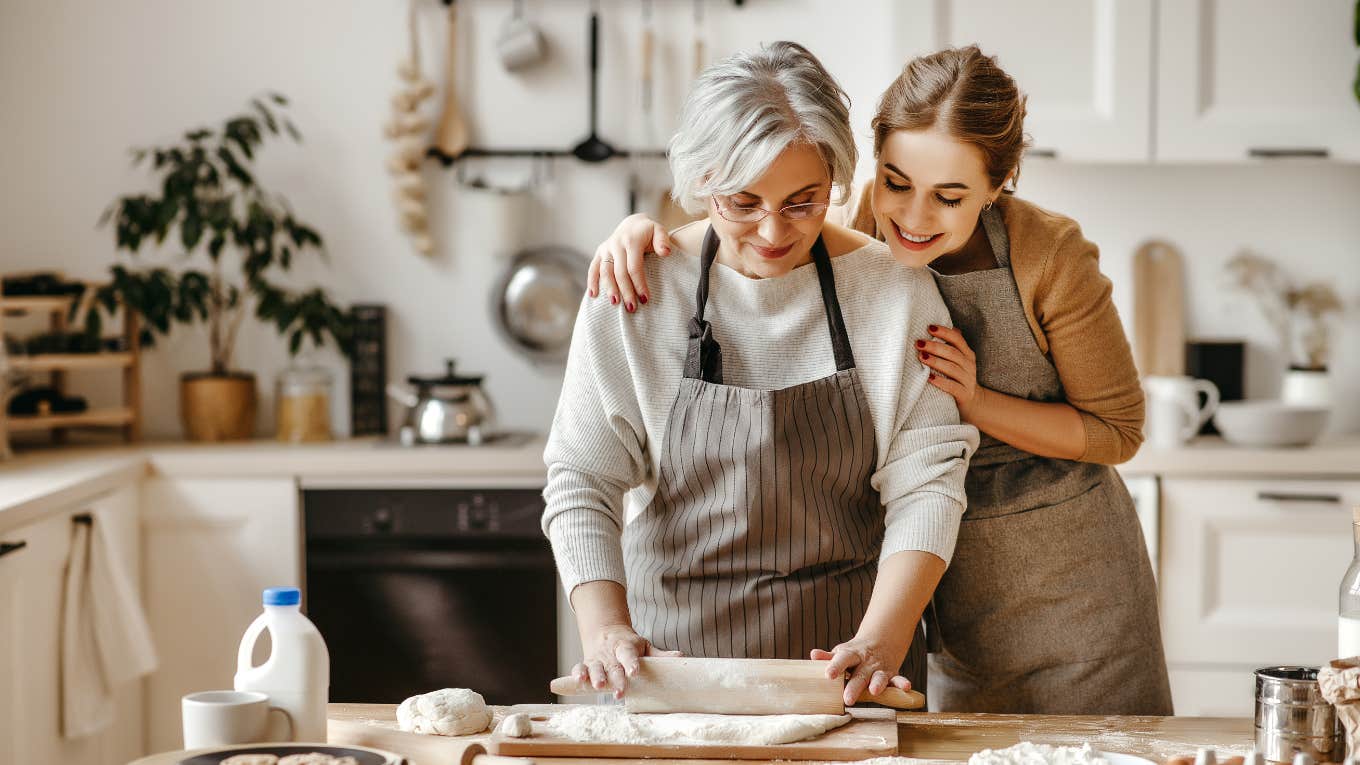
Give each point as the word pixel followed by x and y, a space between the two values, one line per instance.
pixel 1086 66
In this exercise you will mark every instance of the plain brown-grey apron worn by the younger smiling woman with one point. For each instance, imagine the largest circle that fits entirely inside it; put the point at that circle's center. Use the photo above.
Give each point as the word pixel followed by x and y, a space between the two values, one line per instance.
pixel 1049 605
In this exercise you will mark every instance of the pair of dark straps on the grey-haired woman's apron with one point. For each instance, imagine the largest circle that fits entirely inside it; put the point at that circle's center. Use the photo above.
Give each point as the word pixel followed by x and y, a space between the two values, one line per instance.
pixel 704 357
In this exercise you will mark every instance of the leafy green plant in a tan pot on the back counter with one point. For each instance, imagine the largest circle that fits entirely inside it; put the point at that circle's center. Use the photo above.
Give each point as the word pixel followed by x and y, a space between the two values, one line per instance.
pixel 229 240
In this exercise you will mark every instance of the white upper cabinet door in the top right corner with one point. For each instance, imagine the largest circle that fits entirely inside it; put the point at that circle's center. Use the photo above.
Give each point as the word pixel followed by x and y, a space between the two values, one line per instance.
pixel 1253 78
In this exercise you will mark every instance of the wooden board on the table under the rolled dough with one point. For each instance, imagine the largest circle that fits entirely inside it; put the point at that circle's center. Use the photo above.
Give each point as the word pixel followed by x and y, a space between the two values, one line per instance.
pixel 874 733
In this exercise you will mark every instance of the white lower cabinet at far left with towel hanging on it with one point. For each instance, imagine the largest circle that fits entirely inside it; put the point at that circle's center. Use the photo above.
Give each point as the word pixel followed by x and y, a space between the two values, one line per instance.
pixel 32 591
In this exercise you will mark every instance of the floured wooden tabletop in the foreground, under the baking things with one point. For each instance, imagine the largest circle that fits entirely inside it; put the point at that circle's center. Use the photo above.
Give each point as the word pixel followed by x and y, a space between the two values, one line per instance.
pixel 924 738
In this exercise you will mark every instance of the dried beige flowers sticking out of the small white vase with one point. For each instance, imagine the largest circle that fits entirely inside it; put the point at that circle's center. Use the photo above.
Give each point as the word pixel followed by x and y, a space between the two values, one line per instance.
pixel 1298 314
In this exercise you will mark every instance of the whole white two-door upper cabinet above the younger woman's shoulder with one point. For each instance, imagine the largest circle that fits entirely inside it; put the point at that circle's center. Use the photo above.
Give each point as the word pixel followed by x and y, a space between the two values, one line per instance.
pixel 1168 81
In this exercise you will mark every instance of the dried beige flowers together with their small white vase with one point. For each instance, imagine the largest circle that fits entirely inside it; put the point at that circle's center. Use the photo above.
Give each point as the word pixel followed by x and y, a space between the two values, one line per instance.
pixel 1301 316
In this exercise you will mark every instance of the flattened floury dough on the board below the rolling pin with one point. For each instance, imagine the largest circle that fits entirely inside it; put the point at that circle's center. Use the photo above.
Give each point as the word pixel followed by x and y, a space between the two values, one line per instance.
pixel 615 725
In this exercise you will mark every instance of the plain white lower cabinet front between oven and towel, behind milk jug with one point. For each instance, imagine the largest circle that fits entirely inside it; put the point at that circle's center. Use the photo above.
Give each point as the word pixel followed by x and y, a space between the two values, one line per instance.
pixel 211 547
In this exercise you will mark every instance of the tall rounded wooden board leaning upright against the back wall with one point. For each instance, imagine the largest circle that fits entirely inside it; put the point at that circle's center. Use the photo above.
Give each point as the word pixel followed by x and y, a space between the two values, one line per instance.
pixel 1159 333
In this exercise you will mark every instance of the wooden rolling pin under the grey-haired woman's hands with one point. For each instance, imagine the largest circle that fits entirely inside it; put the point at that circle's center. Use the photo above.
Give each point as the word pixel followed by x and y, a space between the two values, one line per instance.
pixel 738 687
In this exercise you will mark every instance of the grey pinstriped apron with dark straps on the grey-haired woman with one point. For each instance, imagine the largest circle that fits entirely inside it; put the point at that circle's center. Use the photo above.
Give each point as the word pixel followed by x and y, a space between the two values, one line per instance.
pixel 764 537
